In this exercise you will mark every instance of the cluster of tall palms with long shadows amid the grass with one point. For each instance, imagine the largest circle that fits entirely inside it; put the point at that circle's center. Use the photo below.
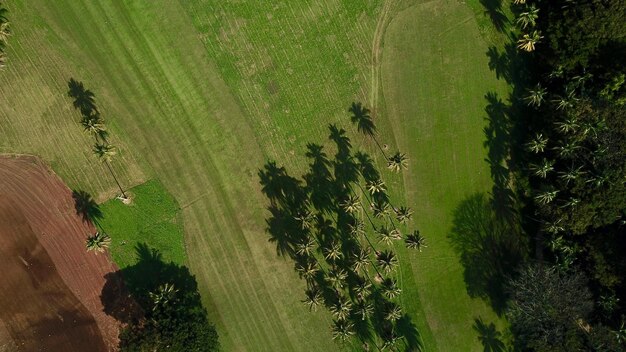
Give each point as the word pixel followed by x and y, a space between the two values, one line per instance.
pixel 340 228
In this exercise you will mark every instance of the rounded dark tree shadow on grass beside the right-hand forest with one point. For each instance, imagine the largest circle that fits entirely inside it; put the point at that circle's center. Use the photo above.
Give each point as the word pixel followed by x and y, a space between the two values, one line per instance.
pixel 490 249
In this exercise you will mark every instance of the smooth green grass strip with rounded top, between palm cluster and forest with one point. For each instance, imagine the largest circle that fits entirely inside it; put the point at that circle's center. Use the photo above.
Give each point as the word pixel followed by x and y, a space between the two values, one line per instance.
pixel 435 76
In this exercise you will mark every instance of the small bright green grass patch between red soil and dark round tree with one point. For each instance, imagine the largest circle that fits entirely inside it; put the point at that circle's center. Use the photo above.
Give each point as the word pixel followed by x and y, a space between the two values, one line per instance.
pixel 152 218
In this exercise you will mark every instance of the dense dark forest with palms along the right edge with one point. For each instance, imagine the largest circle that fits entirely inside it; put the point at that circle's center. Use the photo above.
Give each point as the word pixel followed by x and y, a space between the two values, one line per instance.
pixel 568 157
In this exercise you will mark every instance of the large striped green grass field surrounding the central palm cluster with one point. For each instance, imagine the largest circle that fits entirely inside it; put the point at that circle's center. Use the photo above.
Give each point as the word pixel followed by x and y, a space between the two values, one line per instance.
pixel 198 94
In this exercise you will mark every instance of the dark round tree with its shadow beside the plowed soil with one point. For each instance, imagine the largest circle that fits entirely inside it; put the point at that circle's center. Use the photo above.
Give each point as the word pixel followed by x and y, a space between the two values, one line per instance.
pixel 159 304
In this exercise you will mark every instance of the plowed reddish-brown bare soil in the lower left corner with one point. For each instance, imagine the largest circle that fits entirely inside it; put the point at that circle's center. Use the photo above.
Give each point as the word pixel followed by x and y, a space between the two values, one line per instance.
pixel 50 286
